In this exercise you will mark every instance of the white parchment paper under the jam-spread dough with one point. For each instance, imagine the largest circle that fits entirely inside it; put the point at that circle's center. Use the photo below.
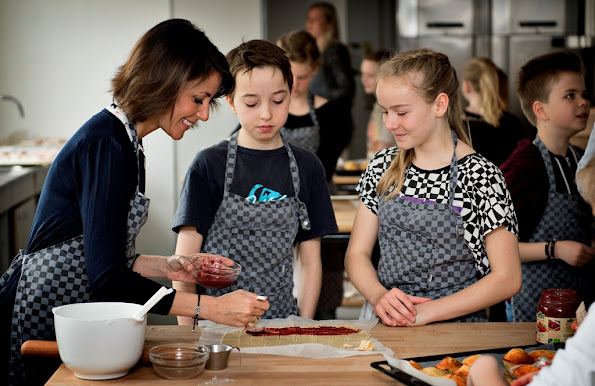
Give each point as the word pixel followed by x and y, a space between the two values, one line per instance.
pixel 212 334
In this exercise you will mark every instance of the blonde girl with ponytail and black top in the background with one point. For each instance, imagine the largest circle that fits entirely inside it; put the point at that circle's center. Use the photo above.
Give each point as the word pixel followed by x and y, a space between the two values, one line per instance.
pixel 493 130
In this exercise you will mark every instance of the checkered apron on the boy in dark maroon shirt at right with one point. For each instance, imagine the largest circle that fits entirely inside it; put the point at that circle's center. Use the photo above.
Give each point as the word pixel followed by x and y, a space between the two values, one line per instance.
pixel 566 217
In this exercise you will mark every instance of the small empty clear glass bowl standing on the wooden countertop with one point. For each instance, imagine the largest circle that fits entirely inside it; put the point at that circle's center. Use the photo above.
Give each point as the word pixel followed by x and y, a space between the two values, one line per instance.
pixel 179 360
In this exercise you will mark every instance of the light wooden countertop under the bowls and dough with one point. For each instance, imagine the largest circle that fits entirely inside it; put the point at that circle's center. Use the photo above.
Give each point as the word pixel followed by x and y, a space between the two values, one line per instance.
pixel 257 369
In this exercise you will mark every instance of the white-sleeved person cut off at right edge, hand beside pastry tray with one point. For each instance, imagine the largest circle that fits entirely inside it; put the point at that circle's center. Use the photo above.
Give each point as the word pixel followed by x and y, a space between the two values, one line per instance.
pixel 573 365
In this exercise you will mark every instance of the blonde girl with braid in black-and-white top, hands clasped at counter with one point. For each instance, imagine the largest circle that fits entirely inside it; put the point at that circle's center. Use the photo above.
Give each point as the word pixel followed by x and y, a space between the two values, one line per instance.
pixel 441 212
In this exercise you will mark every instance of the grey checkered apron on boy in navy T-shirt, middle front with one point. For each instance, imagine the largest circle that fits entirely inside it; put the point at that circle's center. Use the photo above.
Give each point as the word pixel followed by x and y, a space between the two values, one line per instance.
pixel 259 236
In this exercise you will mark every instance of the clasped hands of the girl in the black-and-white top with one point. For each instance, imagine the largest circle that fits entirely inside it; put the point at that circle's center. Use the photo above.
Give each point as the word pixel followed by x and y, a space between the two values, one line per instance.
pixel 396 308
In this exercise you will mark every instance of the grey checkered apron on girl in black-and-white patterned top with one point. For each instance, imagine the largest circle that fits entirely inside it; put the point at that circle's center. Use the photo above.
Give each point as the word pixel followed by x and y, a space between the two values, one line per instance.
pixel 422 249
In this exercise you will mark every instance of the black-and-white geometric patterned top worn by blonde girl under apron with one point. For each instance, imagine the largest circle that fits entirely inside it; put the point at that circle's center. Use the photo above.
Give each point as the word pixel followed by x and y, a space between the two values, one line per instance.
pixel 481 193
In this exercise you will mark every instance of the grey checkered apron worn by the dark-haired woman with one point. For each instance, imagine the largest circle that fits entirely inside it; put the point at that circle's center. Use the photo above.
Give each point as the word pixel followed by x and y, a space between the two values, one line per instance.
pixel 55 276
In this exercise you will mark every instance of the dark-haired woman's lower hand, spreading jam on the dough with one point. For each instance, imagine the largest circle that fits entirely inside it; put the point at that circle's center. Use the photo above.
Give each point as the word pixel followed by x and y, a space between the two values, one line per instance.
pixel 238 308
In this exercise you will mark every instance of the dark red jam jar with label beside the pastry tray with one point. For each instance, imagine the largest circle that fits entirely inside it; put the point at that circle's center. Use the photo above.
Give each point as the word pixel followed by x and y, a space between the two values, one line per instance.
pixel 555 313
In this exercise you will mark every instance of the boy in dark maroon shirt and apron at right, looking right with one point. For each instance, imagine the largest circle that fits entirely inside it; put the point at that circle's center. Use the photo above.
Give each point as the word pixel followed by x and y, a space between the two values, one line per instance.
pixel 554 221
